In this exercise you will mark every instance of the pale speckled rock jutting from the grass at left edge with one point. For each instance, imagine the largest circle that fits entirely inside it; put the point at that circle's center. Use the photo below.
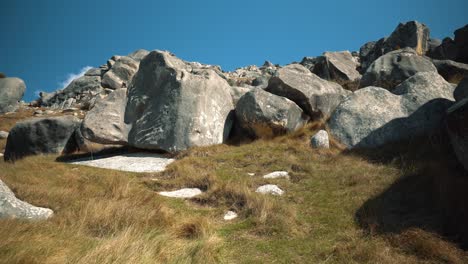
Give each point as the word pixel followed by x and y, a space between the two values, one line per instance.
pixel 12 207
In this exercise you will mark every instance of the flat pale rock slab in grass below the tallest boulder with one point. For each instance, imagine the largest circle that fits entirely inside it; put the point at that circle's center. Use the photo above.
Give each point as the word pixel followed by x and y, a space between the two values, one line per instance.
pixel 134 162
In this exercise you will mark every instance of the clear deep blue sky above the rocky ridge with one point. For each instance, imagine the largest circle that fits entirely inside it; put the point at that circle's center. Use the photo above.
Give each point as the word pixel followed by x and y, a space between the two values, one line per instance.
pixel 44 41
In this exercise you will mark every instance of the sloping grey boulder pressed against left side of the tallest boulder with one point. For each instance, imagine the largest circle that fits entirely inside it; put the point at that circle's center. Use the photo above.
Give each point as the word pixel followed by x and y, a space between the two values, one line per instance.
pixel 104 123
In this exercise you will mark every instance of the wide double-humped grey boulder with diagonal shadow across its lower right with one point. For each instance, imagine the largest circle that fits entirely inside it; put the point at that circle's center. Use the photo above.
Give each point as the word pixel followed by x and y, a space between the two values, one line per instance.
pixel 373 116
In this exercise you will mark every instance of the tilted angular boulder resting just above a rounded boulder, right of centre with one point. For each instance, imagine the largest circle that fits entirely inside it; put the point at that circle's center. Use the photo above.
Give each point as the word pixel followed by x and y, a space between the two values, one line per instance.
pixel 317 97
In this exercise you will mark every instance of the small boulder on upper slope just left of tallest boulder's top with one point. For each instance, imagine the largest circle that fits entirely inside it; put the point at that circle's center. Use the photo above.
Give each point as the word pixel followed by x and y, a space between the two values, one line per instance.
pixel 121 73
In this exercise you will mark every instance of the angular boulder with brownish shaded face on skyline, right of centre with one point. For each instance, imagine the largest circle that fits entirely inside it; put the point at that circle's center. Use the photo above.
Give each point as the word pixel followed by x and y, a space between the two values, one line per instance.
pixel 340 67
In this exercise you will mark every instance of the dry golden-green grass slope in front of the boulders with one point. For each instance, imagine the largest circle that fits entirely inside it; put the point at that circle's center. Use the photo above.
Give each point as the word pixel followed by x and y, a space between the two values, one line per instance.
pixel 383 206
